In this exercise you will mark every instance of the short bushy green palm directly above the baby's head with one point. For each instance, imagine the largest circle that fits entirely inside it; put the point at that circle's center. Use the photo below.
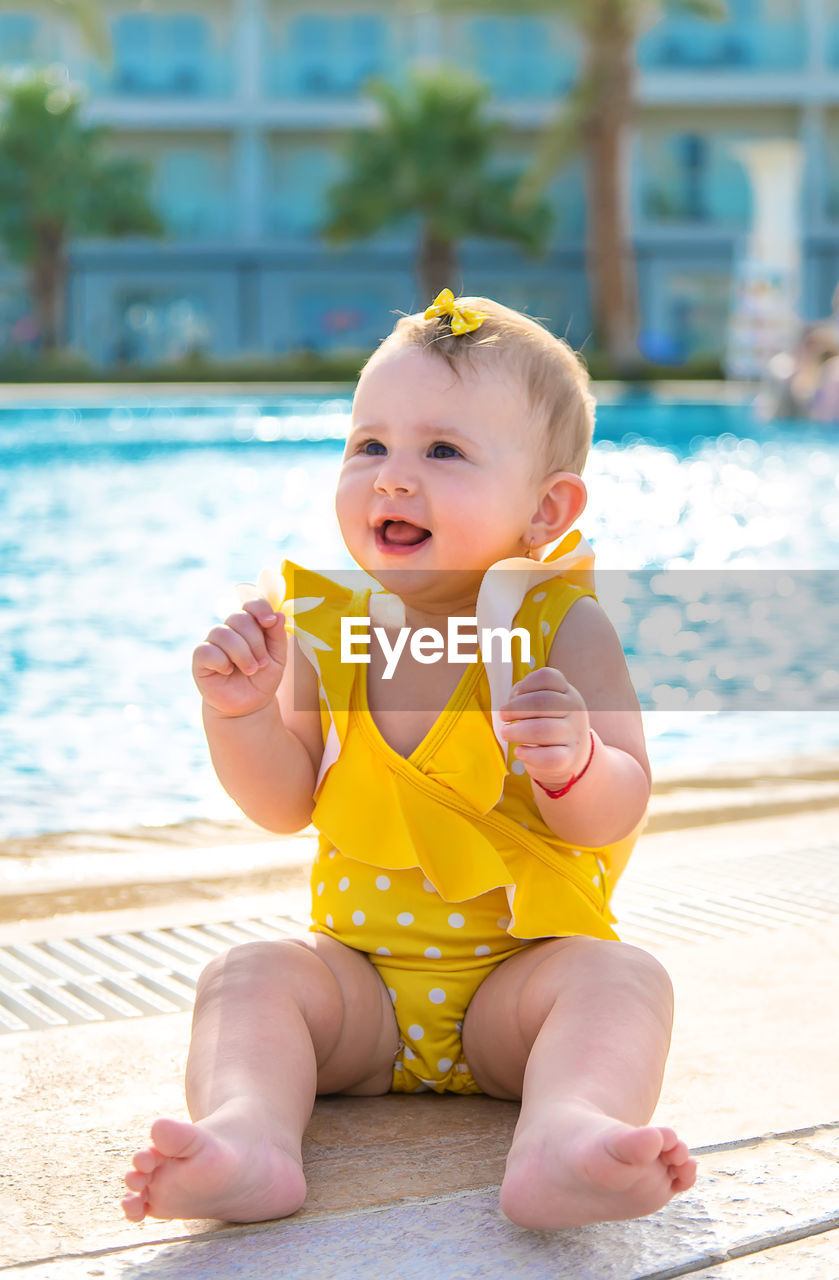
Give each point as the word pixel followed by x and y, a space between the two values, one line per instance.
pixel 431 158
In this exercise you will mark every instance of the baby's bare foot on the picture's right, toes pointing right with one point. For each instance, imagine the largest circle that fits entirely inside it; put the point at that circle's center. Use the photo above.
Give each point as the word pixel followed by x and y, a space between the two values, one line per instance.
pixel 589 1168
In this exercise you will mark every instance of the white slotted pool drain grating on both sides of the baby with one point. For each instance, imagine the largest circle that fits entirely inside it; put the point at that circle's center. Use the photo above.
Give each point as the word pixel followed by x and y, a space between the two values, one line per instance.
pixel 99 979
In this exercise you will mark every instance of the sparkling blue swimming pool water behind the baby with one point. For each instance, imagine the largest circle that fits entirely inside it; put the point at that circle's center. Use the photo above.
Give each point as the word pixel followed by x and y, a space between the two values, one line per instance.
pixel 125 529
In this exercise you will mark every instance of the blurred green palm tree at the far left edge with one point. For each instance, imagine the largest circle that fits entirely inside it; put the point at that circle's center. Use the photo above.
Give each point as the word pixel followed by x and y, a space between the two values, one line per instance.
pixel 58 184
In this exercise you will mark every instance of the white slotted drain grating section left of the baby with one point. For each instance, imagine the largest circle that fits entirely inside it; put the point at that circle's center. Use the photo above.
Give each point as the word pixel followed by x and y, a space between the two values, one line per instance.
pixel 90 980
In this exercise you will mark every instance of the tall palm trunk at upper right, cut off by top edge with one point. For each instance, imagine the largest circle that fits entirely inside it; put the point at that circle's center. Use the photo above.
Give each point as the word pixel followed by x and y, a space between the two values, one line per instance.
pixel 596 118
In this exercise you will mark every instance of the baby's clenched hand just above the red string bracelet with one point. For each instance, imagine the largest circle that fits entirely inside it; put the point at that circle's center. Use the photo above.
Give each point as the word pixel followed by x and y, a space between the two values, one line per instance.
pixel 548 721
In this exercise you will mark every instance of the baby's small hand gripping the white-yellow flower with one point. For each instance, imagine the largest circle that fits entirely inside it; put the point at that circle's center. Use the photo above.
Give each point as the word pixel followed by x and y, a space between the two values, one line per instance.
pixel 241 664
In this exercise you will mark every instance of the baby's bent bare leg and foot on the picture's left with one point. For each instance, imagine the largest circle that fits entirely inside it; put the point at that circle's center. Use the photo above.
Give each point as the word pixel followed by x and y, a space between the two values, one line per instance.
pixel 275 1023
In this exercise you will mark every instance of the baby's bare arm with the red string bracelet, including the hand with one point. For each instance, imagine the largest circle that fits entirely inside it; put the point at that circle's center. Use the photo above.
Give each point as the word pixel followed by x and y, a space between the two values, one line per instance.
pixel 585 688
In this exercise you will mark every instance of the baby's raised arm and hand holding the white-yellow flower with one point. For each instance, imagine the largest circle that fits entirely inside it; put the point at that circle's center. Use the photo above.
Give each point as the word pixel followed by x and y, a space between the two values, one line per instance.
pixel 266 744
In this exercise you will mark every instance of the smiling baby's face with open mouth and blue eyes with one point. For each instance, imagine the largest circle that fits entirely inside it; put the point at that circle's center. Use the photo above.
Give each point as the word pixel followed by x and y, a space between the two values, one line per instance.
pixel 439 473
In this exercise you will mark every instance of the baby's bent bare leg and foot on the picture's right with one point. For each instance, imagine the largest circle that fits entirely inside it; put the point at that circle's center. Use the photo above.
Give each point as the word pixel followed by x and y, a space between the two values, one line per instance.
pixel 580 1030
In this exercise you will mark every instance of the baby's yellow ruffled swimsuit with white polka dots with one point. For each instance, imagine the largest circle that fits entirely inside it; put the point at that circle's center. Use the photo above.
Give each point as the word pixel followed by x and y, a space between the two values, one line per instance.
pixel 439 866
